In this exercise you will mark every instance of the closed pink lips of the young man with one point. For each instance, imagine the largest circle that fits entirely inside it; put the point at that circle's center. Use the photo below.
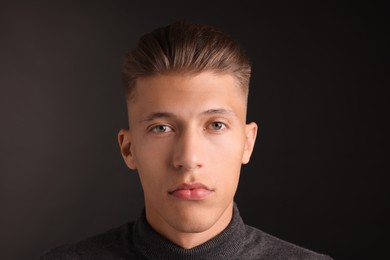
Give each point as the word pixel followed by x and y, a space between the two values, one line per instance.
pixel 193 191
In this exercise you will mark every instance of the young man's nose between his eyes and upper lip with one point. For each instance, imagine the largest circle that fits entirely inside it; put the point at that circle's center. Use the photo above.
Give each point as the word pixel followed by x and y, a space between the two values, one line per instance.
pixel 188 154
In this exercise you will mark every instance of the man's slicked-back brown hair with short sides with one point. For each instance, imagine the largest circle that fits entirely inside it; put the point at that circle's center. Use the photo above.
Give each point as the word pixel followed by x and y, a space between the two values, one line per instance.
pixel 189 48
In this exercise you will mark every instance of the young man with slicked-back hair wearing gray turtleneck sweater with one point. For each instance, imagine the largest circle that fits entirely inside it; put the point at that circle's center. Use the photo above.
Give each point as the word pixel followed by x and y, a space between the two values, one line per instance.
pixel 186 91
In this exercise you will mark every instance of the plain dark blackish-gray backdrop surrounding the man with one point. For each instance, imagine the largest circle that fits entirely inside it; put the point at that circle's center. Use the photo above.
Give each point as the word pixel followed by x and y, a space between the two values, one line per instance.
pixel 318 176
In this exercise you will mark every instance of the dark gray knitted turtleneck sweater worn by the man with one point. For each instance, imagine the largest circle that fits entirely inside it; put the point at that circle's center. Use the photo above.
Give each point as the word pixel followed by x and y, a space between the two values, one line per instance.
pixel 137 240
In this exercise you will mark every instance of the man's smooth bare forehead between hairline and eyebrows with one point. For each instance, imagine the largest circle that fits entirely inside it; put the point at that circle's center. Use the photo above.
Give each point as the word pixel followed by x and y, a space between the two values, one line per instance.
pixel 187 94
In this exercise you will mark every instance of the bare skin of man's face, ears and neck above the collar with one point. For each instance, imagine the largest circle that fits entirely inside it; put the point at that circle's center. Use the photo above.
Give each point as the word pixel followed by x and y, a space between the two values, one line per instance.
pixel 187 129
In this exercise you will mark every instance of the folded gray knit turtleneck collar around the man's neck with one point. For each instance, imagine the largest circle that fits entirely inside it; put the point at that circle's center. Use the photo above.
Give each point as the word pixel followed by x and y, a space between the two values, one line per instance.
pixel 224 246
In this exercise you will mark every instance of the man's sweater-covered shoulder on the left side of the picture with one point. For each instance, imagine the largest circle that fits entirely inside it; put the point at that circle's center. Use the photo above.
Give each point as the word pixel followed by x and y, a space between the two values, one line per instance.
pixel 112 244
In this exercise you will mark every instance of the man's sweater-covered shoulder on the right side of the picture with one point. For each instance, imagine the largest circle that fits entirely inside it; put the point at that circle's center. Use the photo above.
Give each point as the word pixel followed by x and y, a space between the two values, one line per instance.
pixel 260 243
